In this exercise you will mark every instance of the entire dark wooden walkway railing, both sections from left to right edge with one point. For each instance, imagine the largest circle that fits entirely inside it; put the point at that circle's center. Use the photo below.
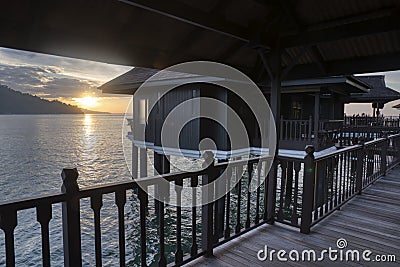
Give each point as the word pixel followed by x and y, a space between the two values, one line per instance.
pixel 304 192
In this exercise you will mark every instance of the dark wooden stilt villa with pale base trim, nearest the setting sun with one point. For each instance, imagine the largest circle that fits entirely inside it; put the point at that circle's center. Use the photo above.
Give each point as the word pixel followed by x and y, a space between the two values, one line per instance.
pixel 195 87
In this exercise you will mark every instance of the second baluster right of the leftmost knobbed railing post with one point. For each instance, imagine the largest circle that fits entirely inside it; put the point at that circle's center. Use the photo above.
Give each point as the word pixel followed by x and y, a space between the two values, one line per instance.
pixel 120 200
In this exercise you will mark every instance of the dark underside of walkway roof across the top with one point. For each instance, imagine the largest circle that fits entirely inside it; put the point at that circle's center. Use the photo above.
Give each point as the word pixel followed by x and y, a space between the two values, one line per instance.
pixel 317 38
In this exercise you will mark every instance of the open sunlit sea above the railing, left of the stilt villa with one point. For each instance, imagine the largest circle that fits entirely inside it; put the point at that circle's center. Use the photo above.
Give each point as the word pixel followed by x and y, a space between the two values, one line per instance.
pixel 35 148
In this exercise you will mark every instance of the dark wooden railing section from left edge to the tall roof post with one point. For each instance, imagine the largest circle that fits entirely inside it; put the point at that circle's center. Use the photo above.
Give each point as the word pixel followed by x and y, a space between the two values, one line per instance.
pixel 236 213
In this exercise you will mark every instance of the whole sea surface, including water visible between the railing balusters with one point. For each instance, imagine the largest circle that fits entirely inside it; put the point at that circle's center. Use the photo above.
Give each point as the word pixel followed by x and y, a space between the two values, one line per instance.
pixel 33 151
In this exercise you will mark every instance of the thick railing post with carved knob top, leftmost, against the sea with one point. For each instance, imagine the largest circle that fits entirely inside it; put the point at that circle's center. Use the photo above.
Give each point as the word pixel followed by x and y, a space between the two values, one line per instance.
pixel 71 219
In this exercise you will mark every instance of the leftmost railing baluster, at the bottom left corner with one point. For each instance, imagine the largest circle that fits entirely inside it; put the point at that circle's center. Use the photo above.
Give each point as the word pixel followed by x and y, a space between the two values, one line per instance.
pixel 8 222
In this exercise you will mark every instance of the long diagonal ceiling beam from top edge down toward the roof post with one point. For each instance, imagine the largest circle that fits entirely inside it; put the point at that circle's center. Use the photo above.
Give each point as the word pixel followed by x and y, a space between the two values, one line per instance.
pixel 195 17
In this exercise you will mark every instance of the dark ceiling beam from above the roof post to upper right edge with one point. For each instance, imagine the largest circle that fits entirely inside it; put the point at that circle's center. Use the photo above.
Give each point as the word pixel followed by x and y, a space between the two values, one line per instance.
pixel 343 31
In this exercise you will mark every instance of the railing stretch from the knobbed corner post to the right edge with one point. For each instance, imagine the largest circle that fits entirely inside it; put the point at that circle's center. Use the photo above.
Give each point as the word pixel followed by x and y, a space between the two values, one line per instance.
pixel 332 179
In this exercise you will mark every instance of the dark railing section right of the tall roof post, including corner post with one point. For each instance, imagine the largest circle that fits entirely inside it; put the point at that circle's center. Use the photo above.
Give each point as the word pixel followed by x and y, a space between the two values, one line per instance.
pixel 310 188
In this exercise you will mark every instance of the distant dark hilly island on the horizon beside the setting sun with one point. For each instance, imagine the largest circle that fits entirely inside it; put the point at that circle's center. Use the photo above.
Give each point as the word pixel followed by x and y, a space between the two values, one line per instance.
pixel 14 102
